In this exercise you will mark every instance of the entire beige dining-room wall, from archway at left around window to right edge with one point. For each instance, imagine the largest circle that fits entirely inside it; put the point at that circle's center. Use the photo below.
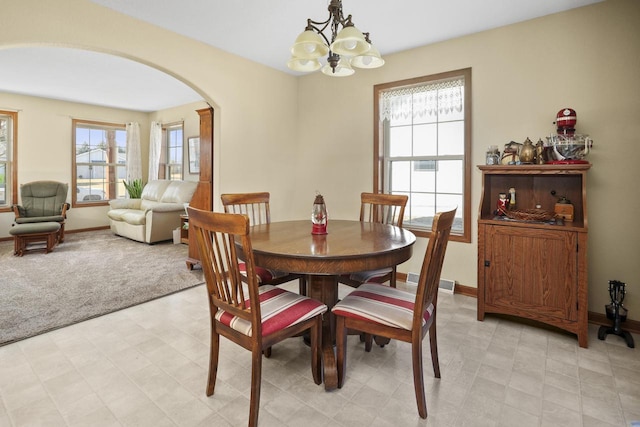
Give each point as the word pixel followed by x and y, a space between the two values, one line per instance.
pixel 270 127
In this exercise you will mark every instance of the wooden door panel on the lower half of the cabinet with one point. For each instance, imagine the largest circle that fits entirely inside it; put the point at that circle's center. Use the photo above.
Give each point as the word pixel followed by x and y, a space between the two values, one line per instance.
pixel 533 270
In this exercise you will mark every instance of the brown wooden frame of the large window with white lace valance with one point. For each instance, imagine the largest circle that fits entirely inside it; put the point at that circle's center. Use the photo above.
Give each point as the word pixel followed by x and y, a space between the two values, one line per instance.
pixel 379 144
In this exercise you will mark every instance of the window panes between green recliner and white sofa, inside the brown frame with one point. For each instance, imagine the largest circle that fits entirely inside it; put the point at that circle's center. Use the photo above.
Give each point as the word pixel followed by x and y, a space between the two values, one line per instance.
pixel 99 162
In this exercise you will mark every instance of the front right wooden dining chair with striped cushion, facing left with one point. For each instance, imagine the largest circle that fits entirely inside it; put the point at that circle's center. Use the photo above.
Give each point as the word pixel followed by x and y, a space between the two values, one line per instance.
pixel 396 314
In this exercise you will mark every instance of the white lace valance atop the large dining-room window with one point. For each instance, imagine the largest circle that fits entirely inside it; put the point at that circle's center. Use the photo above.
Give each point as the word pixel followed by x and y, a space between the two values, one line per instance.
pixel 430 99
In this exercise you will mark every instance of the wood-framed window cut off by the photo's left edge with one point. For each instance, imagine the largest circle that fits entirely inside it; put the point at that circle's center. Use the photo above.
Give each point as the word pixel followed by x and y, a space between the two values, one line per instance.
pixel 8 159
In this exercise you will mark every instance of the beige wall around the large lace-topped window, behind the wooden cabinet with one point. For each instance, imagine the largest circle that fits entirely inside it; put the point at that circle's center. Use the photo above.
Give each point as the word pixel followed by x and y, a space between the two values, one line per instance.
pixel 586 59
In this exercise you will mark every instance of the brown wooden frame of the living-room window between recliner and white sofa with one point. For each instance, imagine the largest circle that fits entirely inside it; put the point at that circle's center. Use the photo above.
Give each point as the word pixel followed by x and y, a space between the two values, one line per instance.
pixel 74 165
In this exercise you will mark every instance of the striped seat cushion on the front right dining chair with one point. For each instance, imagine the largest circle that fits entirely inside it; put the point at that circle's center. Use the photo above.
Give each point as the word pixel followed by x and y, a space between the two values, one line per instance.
pixel 381 304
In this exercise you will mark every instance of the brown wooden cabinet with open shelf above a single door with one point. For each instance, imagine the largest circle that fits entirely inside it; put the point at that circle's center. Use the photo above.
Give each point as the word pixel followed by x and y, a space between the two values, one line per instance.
pixel 534 270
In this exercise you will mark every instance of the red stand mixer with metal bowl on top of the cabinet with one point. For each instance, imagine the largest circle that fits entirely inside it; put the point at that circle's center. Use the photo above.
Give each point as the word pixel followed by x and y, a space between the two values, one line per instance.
pixel 567 147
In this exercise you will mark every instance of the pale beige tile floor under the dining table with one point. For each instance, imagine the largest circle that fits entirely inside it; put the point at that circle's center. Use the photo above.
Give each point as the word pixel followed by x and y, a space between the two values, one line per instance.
pixel 147 366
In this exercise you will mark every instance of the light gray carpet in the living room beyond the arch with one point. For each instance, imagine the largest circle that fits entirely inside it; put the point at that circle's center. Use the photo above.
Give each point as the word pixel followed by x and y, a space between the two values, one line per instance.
pixel 90 274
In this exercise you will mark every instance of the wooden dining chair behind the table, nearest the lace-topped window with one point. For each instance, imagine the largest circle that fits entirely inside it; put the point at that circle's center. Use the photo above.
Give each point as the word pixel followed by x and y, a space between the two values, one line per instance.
pixel 385 209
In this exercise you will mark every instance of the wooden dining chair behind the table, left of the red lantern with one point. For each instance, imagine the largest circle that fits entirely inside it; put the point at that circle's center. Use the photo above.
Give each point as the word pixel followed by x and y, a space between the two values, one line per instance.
pixel 256 207
